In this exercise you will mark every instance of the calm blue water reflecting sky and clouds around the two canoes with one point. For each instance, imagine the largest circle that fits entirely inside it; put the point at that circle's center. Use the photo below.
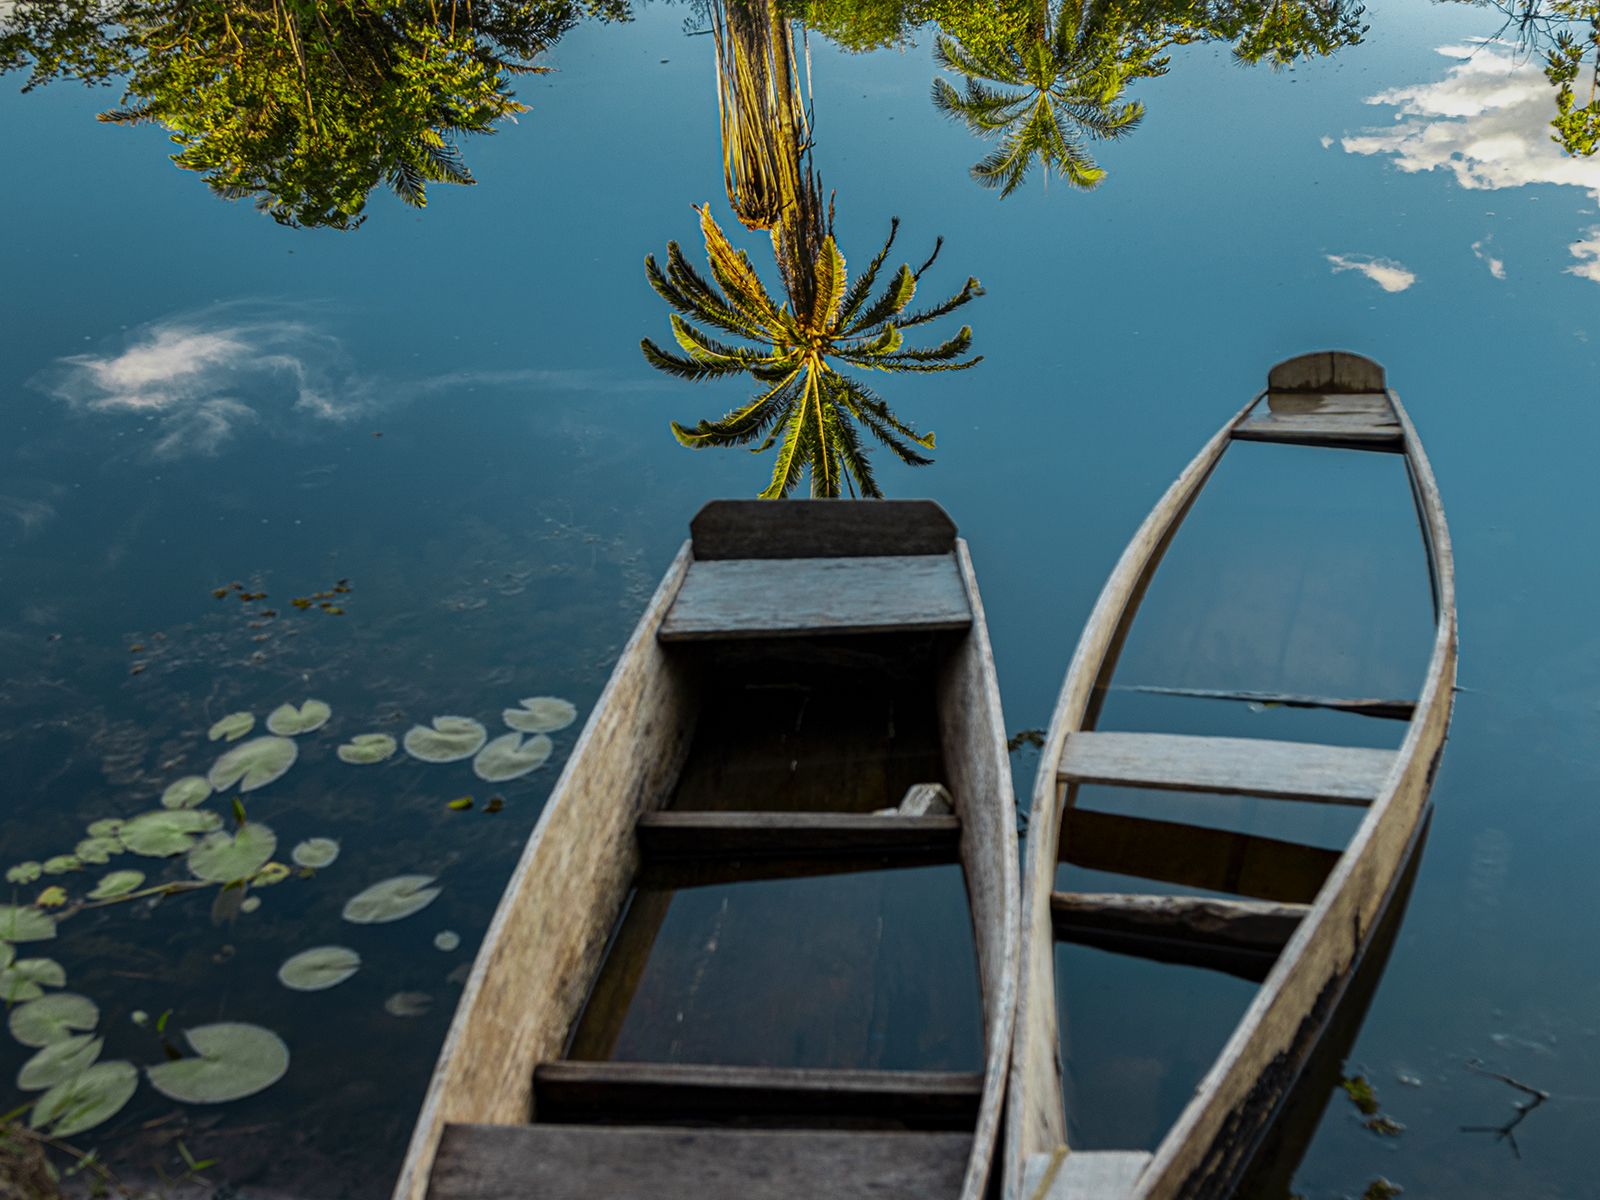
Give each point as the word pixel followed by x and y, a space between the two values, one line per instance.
pixel 194 398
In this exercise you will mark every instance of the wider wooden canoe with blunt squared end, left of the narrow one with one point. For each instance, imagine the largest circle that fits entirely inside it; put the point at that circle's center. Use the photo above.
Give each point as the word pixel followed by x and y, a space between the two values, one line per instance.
pixel 684 782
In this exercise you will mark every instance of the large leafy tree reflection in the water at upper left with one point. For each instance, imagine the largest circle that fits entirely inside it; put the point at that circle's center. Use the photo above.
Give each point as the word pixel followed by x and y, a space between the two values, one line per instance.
pixel 303 105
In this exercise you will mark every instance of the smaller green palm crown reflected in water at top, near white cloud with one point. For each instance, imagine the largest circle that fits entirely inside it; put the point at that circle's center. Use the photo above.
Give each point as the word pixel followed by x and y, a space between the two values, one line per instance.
pixel 1049 94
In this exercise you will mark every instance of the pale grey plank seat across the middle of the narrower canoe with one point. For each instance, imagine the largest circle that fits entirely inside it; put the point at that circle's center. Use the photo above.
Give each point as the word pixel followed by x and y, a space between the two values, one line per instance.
pixel 1274 770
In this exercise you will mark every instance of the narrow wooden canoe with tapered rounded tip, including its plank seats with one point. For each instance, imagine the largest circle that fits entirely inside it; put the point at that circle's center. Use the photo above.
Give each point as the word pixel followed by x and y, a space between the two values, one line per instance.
pixel 1305 914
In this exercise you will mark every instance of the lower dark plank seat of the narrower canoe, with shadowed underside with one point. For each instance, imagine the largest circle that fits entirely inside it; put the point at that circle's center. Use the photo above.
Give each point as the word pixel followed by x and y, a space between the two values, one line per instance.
pixel 1242 938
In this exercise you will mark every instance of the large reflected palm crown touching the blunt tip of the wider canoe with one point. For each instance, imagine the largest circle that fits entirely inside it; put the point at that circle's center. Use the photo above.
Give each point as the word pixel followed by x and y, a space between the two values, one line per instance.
pixel 806 402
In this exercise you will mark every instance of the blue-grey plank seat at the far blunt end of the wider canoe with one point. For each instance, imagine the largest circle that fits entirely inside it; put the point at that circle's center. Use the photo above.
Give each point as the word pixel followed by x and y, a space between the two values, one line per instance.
pixel 777 598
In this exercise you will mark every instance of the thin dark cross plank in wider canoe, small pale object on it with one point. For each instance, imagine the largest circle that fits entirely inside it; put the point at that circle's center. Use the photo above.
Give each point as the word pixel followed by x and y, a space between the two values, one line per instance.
pixel 706 836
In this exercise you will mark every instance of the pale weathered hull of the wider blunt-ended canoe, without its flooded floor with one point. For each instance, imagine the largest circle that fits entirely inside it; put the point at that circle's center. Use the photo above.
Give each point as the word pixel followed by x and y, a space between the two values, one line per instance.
pixel 548 940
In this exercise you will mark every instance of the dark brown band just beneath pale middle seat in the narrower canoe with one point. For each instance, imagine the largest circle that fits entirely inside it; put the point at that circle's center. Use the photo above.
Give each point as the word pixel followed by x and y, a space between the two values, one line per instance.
pixel 1194 857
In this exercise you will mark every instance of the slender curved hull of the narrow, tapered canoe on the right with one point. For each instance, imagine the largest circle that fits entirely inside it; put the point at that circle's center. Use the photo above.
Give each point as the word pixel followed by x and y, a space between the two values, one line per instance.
pixel 1335 401
